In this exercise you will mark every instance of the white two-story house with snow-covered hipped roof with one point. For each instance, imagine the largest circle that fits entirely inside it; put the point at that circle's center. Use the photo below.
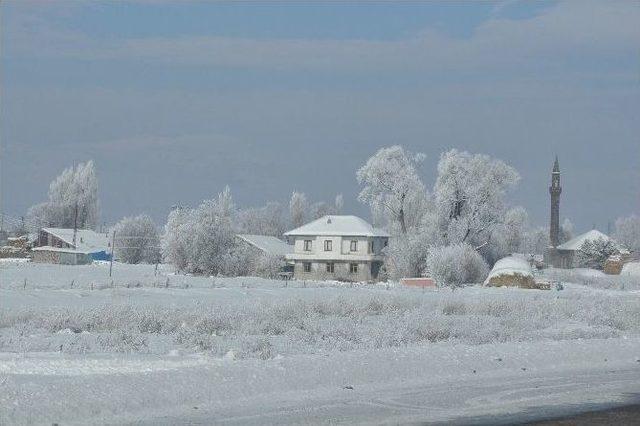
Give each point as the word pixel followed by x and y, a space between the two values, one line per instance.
pixel 337 247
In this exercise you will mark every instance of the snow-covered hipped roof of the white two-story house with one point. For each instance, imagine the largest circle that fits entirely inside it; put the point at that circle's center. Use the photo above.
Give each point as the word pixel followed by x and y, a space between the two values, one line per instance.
pixel 339 225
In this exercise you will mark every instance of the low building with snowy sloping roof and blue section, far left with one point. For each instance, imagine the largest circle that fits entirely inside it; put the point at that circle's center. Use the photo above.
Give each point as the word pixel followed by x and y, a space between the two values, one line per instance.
pixel 66 246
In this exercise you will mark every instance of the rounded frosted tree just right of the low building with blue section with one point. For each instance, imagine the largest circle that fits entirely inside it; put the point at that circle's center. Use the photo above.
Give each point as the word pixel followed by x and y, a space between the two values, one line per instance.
pixel 137 240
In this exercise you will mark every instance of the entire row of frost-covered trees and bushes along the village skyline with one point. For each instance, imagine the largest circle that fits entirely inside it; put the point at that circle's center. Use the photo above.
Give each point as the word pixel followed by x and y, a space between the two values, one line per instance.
pixel 463 220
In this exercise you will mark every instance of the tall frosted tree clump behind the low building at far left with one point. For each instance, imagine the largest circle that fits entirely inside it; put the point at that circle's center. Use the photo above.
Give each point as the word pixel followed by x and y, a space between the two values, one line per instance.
pixel 73 199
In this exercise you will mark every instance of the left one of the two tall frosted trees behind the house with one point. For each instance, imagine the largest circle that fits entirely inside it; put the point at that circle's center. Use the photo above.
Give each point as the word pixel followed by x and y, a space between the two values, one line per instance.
pixel 392 186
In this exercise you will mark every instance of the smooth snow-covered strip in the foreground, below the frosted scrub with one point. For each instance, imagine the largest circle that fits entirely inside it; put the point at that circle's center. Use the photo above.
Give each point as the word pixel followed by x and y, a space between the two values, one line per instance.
pixel 428 383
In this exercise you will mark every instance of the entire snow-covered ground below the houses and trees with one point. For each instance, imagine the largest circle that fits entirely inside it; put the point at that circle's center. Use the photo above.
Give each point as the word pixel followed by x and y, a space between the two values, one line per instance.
pixel 253 351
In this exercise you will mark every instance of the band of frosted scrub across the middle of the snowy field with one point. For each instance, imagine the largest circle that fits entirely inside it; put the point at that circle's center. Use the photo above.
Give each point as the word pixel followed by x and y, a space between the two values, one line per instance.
pixel 338 321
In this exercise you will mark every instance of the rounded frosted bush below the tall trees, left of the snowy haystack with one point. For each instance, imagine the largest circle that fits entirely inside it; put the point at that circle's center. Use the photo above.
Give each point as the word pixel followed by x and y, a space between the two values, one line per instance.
pixel 456 265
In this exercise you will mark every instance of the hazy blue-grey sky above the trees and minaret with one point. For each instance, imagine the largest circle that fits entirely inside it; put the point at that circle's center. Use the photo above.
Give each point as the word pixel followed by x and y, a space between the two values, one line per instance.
pixel 175 100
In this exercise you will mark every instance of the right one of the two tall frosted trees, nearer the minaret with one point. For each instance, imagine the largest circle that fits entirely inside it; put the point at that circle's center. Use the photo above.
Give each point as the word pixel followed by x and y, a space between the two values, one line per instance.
pixel 469 196
